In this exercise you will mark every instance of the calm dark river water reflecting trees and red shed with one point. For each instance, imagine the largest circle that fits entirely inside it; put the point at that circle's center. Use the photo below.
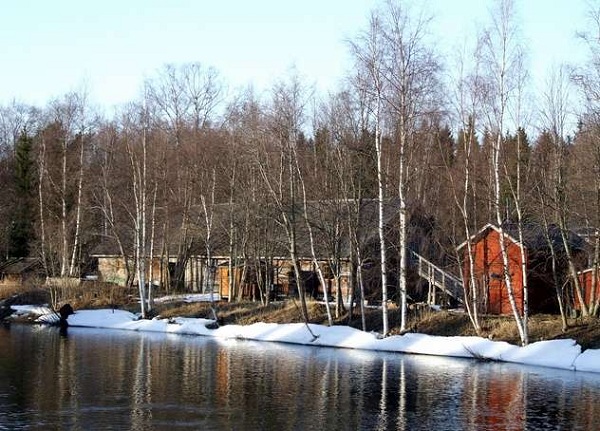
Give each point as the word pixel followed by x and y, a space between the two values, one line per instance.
pixel 105 379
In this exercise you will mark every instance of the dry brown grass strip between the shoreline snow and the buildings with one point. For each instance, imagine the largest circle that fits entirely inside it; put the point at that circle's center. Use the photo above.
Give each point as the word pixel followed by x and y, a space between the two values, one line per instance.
pixel 424 320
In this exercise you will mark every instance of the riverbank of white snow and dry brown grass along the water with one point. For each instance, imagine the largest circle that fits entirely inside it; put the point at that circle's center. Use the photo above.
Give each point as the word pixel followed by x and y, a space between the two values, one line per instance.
pixel 279 322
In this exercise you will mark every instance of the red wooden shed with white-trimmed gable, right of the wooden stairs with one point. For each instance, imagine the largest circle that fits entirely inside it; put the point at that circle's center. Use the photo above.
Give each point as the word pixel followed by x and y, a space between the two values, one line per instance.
pixel 489 268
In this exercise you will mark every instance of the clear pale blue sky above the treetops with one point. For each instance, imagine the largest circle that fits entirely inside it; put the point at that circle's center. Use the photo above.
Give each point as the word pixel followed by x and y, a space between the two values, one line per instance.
pixel 50 47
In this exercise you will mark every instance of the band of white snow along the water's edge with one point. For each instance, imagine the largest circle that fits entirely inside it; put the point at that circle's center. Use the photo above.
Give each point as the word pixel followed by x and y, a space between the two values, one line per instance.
pixel 563 354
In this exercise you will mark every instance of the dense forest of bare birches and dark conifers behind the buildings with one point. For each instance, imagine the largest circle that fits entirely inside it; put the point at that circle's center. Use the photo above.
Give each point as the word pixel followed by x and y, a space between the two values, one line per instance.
pixel 455 142
